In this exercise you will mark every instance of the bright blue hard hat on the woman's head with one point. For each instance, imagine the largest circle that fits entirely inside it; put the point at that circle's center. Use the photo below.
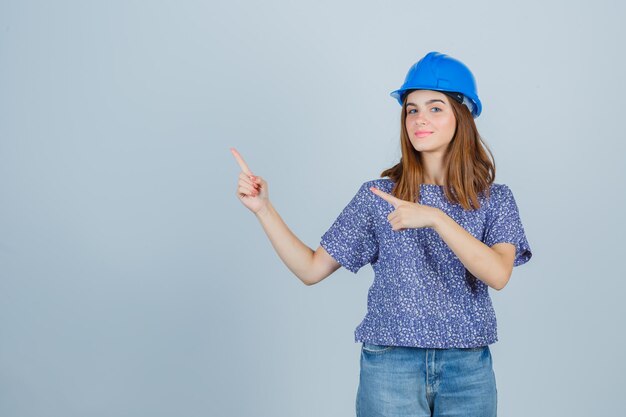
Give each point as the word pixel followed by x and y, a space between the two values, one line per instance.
pixel 441 72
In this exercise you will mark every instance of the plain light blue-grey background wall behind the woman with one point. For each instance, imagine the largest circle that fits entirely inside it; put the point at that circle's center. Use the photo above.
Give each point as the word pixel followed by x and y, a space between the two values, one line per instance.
pixel 134 283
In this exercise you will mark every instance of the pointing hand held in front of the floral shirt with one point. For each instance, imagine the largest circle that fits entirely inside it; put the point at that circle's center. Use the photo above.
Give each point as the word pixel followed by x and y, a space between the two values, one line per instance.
pixel 408 215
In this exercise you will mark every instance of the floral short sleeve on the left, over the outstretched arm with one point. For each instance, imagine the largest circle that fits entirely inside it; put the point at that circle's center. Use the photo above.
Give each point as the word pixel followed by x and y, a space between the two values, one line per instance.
pixel 351 239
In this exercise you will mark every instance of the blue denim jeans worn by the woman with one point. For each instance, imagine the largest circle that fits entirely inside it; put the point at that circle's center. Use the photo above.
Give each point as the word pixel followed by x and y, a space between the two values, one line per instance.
pixel 397 381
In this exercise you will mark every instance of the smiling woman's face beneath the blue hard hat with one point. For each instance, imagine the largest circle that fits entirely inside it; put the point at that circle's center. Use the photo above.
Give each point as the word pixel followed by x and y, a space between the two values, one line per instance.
pixel 429 111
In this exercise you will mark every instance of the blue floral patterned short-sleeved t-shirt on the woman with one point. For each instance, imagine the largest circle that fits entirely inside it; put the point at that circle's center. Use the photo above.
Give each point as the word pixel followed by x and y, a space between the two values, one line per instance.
pixel 422 295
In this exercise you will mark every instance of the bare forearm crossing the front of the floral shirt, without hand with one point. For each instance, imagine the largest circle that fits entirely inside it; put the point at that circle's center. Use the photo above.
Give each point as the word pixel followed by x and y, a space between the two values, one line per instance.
pixel 479 259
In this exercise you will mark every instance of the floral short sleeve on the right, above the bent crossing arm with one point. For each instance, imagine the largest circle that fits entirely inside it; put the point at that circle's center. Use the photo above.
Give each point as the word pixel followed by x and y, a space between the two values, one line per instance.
pixel 505 225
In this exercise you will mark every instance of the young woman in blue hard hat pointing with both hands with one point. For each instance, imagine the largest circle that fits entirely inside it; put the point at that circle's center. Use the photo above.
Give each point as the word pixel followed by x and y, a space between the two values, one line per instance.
pixel 438 233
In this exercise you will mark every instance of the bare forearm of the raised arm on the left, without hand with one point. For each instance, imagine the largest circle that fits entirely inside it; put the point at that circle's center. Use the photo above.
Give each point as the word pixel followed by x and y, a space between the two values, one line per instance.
pixel 297 256
